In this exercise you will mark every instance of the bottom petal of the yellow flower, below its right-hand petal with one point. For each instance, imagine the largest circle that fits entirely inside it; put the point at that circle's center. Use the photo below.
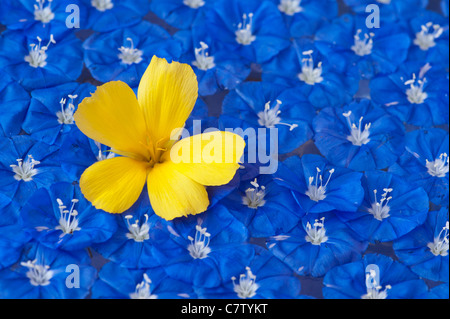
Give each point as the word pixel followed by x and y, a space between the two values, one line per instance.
pixel 173 194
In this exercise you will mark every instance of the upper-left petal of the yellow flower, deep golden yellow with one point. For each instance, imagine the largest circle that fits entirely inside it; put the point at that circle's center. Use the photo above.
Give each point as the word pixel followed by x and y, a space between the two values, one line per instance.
pixel 112 117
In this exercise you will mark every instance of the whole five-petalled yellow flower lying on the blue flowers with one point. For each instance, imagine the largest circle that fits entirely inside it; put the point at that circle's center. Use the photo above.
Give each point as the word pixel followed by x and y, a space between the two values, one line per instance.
pixel 140 129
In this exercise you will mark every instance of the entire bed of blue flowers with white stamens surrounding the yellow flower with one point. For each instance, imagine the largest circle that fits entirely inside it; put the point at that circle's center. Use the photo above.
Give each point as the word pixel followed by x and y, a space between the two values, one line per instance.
pixel 361 111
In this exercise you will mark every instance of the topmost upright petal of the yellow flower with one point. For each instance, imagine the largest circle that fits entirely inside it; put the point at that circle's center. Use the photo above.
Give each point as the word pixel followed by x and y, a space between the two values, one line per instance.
pixel 167 94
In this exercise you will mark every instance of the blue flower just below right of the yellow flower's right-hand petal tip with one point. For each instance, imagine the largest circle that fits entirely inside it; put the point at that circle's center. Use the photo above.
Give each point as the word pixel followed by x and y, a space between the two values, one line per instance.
pixel 266 208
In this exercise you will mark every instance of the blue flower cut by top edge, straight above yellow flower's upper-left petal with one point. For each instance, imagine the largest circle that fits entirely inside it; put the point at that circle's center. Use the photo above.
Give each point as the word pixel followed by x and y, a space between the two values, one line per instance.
pixel 108 15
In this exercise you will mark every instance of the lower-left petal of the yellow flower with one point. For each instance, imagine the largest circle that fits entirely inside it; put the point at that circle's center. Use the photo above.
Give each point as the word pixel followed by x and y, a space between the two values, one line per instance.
pixel 115 184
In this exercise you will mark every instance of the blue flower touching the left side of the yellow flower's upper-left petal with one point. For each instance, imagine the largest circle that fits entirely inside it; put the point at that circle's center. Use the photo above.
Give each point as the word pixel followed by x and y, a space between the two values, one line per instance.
pixel 50 115
